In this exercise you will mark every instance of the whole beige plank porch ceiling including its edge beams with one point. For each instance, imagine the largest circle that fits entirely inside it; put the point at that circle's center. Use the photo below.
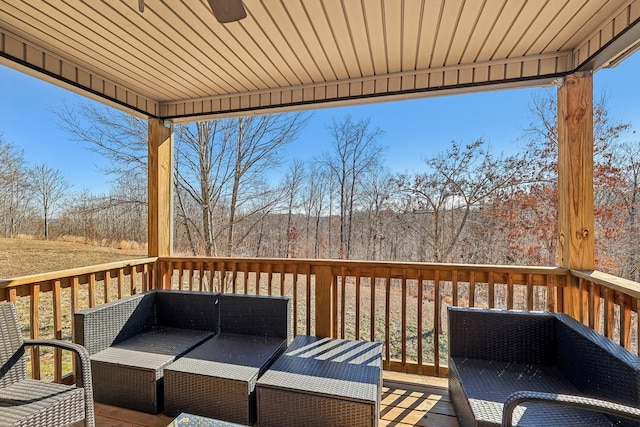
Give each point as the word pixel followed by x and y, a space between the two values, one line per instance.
pixel 175 61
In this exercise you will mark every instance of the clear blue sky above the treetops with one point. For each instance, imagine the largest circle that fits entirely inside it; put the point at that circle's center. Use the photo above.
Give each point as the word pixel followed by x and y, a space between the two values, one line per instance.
pixel 413 129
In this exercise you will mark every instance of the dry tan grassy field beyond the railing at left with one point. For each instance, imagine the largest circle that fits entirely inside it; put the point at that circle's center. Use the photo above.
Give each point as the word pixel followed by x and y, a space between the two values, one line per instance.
pixel 22 257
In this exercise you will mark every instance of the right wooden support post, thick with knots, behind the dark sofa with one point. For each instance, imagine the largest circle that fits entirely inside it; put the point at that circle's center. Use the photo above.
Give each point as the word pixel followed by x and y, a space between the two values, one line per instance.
pixel 576 249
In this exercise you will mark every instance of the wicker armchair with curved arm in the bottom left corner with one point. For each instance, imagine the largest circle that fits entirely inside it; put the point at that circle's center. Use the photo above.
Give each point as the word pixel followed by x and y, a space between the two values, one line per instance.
pixel 28 402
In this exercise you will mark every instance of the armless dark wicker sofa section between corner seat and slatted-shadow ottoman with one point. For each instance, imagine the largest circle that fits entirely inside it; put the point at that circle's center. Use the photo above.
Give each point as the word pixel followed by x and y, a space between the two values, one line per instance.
pixel 218 378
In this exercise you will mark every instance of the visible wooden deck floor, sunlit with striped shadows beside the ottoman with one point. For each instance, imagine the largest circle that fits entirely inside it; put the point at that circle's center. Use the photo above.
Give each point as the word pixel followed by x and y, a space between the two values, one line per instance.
pixel 407 400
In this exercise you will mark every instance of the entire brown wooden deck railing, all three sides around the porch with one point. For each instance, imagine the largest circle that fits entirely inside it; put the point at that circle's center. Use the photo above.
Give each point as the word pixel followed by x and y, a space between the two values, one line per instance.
pixel 402 305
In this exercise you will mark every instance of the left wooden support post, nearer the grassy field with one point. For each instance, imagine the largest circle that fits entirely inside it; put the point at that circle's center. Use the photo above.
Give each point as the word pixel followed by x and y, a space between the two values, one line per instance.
pixel 160 221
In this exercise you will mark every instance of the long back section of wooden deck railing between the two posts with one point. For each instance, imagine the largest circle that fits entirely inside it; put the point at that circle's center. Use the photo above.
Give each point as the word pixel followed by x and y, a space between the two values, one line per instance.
pixel 402 305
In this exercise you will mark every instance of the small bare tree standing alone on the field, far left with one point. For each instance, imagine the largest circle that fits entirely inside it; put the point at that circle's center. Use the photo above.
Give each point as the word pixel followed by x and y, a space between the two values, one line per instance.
pixel 50 187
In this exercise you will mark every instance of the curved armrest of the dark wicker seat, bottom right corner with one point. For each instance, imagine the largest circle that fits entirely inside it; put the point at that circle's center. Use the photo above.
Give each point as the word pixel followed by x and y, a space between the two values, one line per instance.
pixel 580 402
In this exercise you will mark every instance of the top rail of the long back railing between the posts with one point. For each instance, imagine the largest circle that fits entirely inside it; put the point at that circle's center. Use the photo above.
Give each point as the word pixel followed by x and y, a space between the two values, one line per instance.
pixel 378 264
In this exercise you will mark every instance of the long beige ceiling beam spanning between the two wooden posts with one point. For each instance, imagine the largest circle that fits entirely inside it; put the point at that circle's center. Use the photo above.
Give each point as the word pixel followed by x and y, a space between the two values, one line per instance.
pixel 529 71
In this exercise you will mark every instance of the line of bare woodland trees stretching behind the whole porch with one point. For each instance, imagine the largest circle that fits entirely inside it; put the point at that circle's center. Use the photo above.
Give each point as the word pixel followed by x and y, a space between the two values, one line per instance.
pixel 467 204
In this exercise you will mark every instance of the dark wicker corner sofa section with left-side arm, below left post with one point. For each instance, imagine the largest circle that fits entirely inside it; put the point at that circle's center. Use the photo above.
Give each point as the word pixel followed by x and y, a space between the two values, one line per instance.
pixel 132 340
